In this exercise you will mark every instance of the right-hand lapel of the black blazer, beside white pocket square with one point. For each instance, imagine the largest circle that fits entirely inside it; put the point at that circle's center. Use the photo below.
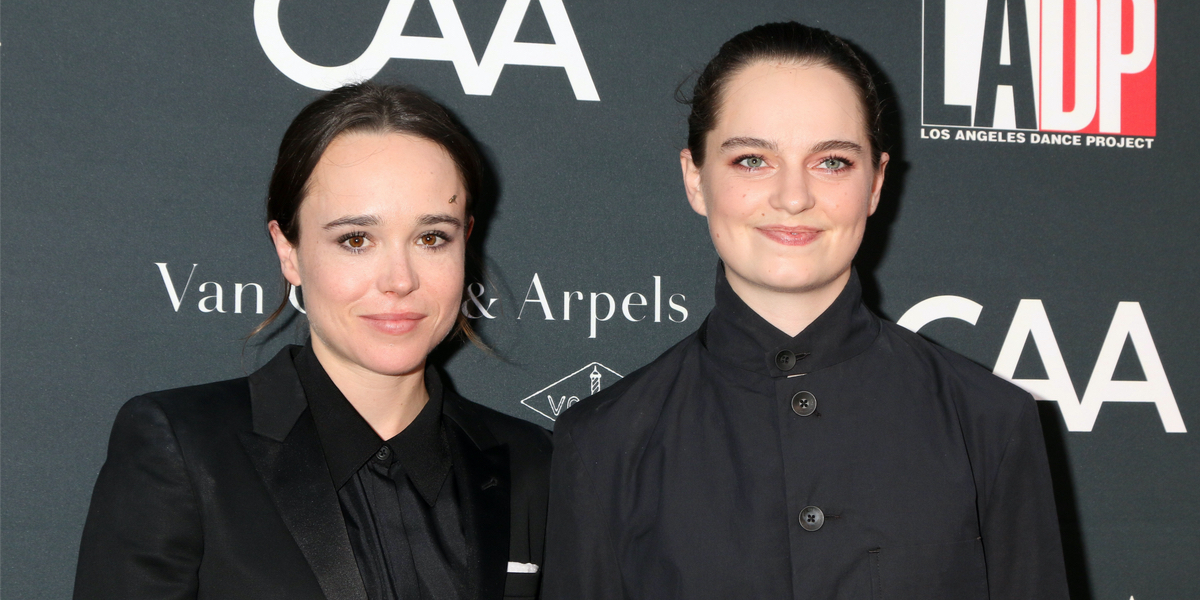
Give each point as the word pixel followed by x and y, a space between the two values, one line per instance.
pixel 487 482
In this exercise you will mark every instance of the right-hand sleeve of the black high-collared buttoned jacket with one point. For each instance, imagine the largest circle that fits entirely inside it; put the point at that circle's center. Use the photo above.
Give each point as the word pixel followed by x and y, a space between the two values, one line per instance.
pixel 1022 541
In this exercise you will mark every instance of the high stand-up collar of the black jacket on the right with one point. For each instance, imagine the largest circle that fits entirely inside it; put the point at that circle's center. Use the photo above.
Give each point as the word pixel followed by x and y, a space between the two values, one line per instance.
pixel 739 335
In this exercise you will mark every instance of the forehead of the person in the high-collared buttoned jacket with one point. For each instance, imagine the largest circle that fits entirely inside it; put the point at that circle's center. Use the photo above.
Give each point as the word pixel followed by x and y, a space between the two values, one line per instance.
pixel 789 101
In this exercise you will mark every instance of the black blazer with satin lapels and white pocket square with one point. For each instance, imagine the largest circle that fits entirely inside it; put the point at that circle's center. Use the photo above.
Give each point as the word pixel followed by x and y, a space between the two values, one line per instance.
pixel 221 491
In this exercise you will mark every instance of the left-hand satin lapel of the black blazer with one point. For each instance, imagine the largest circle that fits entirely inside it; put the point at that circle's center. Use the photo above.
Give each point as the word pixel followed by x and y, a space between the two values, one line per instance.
pixel 286 452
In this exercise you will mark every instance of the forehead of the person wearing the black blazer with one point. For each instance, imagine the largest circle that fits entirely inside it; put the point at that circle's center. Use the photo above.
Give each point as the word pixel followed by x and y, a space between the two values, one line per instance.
pixel 381 173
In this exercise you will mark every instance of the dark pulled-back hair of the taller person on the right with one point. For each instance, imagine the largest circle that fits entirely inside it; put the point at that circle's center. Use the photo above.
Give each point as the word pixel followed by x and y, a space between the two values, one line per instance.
pixel 781 41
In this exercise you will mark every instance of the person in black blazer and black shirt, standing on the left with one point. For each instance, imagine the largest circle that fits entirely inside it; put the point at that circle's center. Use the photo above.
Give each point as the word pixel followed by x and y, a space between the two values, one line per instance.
pixel 345 469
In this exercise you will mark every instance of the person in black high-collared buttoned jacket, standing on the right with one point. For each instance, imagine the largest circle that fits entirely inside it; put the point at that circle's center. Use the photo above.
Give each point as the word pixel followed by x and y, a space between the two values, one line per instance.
pixel 796 446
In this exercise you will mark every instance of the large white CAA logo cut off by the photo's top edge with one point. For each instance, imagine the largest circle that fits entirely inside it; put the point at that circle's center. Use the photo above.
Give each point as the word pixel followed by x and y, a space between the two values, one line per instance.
pixel 478 80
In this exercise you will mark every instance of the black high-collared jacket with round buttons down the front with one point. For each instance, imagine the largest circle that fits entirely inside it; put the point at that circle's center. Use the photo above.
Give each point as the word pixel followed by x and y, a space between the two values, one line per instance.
pixel 688 478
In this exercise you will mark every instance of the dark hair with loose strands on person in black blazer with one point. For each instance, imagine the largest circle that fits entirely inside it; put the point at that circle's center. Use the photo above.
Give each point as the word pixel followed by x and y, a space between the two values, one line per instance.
pixel 363 107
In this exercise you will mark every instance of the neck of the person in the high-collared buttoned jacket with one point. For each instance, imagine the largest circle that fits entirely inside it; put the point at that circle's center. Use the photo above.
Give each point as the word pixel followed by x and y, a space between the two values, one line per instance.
pixel 790 311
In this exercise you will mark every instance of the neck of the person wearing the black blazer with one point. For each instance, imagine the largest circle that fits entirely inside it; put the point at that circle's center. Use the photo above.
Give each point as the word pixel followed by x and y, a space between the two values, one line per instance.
pixel 389 404
